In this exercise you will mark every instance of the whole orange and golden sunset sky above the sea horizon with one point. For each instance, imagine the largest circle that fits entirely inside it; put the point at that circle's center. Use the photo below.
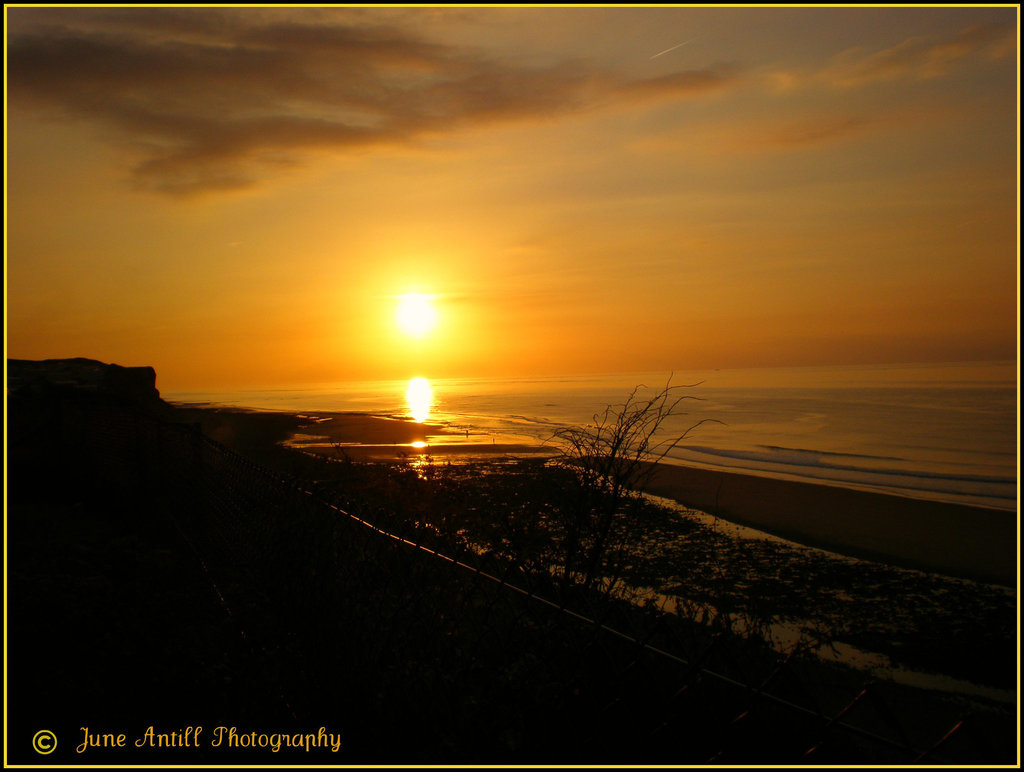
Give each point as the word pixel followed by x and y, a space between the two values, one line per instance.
pixel 240 197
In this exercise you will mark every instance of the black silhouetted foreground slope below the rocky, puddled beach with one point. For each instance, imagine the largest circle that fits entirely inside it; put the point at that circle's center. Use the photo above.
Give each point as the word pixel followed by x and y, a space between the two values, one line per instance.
pixel 157 580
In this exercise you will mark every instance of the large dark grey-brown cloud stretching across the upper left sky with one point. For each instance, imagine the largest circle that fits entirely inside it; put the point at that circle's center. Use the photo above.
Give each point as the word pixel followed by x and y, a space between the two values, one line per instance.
pixel 216 99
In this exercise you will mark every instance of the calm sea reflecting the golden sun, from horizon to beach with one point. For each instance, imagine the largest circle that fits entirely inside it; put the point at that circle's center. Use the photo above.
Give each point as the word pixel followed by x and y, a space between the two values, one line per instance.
pixel 944 433
